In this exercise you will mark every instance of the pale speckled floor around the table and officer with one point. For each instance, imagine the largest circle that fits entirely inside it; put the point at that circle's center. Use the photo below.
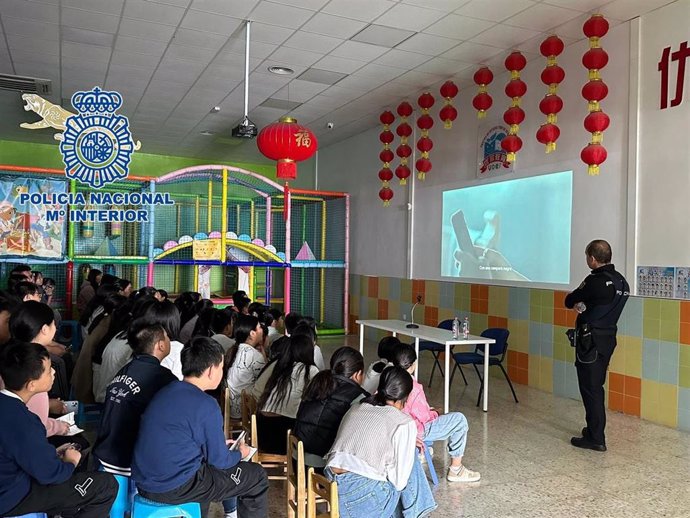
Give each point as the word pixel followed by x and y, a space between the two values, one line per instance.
pixel 529 468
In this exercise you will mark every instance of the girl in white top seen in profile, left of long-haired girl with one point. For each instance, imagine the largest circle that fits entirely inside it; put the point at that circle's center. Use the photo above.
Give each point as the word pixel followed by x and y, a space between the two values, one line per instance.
pixel 246 359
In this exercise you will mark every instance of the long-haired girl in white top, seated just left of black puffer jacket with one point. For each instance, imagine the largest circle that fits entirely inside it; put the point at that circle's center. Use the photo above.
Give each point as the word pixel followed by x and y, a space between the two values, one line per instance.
pixel 282 393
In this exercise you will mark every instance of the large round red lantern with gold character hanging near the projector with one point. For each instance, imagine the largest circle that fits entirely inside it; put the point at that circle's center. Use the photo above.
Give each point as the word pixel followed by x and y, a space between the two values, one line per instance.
pixel 288 143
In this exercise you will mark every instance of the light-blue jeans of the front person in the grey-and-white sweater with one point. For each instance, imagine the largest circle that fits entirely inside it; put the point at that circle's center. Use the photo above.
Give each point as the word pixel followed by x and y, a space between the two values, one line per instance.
pixel 359 496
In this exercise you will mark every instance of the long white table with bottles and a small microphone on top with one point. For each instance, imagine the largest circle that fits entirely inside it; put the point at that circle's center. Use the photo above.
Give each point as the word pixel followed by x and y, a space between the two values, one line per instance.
pixel 436 335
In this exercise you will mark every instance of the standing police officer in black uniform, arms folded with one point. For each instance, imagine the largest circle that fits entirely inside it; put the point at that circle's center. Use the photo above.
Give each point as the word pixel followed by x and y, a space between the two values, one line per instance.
pixel 599 301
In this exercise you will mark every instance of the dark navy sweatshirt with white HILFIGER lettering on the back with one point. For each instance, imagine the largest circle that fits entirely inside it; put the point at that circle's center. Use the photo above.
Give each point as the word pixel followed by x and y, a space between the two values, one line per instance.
pixel 127 396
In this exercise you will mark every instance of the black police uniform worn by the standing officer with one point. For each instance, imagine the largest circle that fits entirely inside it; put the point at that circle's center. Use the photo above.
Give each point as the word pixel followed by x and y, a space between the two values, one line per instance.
pixel 604 293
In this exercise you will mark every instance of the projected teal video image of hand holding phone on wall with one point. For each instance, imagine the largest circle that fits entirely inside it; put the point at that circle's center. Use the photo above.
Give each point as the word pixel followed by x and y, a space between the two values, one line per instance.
pixel 517 230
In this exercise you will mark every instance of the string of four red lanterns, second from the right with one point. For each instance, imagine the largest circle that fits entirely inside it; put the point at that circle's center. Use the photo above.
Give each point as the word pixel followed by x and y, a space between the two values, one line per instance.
pixel 551 76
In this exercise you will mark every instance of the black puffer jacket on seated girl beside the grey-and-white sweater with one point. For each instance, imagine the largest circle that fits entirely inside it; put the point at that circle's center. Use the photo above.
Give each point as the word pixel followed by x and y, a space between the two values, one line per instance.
pixel 318 421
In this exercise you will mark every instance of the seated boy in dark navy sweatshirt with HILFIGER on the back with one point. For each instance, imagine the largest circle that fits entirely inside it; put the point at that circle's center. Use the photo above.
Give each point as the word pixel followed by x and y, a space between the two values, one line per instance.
pixel 129 394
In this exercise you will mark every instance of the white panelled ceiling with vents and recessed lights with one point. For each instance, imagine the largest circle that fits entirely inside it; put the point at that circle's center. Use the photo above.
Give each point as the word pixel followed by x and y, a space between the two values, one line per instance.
pixel 174 60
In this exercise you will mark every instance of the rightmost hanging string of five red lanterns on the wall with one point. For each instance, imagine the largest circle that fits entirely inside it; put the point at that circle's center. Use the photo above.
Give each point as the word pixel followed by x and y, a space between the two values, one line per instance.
pixel 594 91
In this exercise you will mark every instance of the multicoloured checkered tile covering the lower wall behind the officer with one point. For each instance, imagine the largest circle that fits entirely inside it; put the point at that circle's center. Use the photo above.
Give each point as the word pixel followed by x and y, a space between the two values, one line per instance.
pixel 649 375
